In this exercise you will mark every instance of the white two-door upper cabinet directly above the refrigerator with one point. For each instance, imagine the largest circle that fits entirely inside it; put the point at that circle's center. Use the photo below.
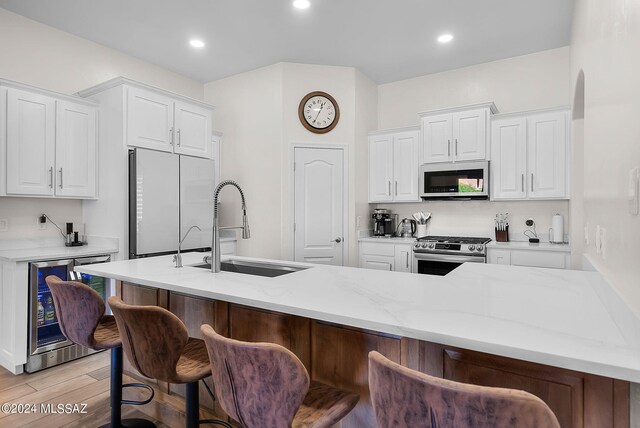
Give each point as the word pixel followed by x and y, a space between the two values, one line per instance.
pixel 157 121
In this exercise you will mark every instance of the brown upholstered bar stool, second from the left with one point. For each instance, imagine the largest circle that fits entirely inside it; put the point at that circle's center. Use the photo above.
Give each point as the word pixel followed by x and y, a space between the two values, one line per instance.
pixel 158 345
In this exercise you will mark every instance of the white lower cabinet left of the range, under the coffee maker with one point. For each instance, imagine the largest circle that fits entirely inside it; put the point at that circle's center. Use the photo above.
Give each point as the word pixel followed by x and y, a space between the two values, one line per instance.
pixel 385 256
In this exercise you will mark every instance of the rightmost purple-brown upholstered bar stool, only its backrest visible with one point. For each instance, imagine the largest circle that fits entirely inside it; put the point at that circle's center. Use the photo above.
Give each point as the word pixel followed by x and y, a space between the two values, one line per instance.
pixel 407 398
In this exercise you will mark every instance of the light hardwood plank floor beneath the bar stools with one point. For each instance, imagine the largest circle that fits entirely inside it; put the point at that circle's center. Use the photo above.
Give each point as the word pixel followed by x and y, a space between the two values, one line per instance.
pixel 82 381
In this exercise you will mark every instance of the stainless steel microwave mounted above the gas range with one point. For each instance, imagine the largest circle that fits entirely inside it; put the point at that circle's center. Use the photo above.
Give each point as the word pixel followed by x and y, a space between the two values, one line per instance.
pixel 459 180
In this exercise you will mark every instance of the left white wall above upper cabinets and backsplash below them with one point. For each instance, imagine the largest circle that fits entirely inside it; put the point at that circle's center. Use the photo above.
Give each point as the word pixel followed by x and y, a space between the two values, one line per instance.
pixel 48 58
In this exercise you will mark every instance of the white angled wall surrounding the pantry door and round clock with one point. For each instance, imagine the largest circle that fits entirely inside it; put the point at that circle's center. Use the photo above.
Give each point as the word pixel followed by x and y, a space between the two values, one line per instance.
pixel 258 114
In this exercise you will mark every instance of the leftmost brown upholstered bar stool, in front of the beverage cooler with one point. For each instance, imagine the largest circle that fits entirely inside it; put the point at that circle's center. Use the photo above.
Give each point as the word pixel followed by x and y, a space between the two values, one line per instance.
pixel 81 317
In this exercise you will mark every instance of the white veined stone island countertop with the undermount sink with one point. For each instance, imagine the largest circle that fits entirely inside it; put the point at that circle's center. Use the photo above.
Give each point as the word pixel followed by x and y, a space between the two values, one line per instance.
pixel 563 318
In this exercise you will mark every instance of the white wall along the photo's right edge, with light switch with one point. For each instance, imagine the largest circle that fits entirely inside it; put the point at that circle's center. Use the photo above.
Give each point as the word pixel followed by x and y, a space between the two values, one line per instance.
pixel 605 45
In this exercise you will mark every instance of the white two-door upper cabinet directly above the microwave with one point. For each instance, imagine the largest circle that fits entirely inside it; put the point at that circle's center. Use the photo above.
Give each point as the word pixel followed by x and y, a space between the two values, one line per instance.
pixel 454 135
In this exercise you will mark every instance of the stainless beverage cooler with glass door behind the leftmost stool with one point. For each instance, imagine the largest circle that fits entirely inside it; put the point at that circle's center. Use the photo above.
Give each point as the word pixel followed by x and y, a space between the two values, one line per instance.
pixel 47 345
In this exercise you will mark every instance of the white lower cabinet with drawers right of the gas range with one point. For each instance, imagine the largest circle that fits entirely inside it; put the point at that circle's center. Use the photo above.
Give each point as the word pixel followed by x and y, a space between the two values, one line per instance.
pixel 532 258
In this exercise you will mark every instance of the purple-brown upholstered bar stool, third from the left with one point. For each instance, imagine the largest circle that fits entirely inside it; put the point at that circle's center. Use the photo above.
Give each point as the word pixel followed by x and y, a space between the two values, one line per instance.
pixel 265 385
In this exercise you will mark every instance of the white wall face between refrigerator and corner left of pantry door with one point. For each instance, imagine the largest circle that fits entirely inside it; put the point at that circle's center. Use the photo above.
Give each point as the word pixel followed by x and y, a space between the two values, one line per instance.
pixel 249 114
